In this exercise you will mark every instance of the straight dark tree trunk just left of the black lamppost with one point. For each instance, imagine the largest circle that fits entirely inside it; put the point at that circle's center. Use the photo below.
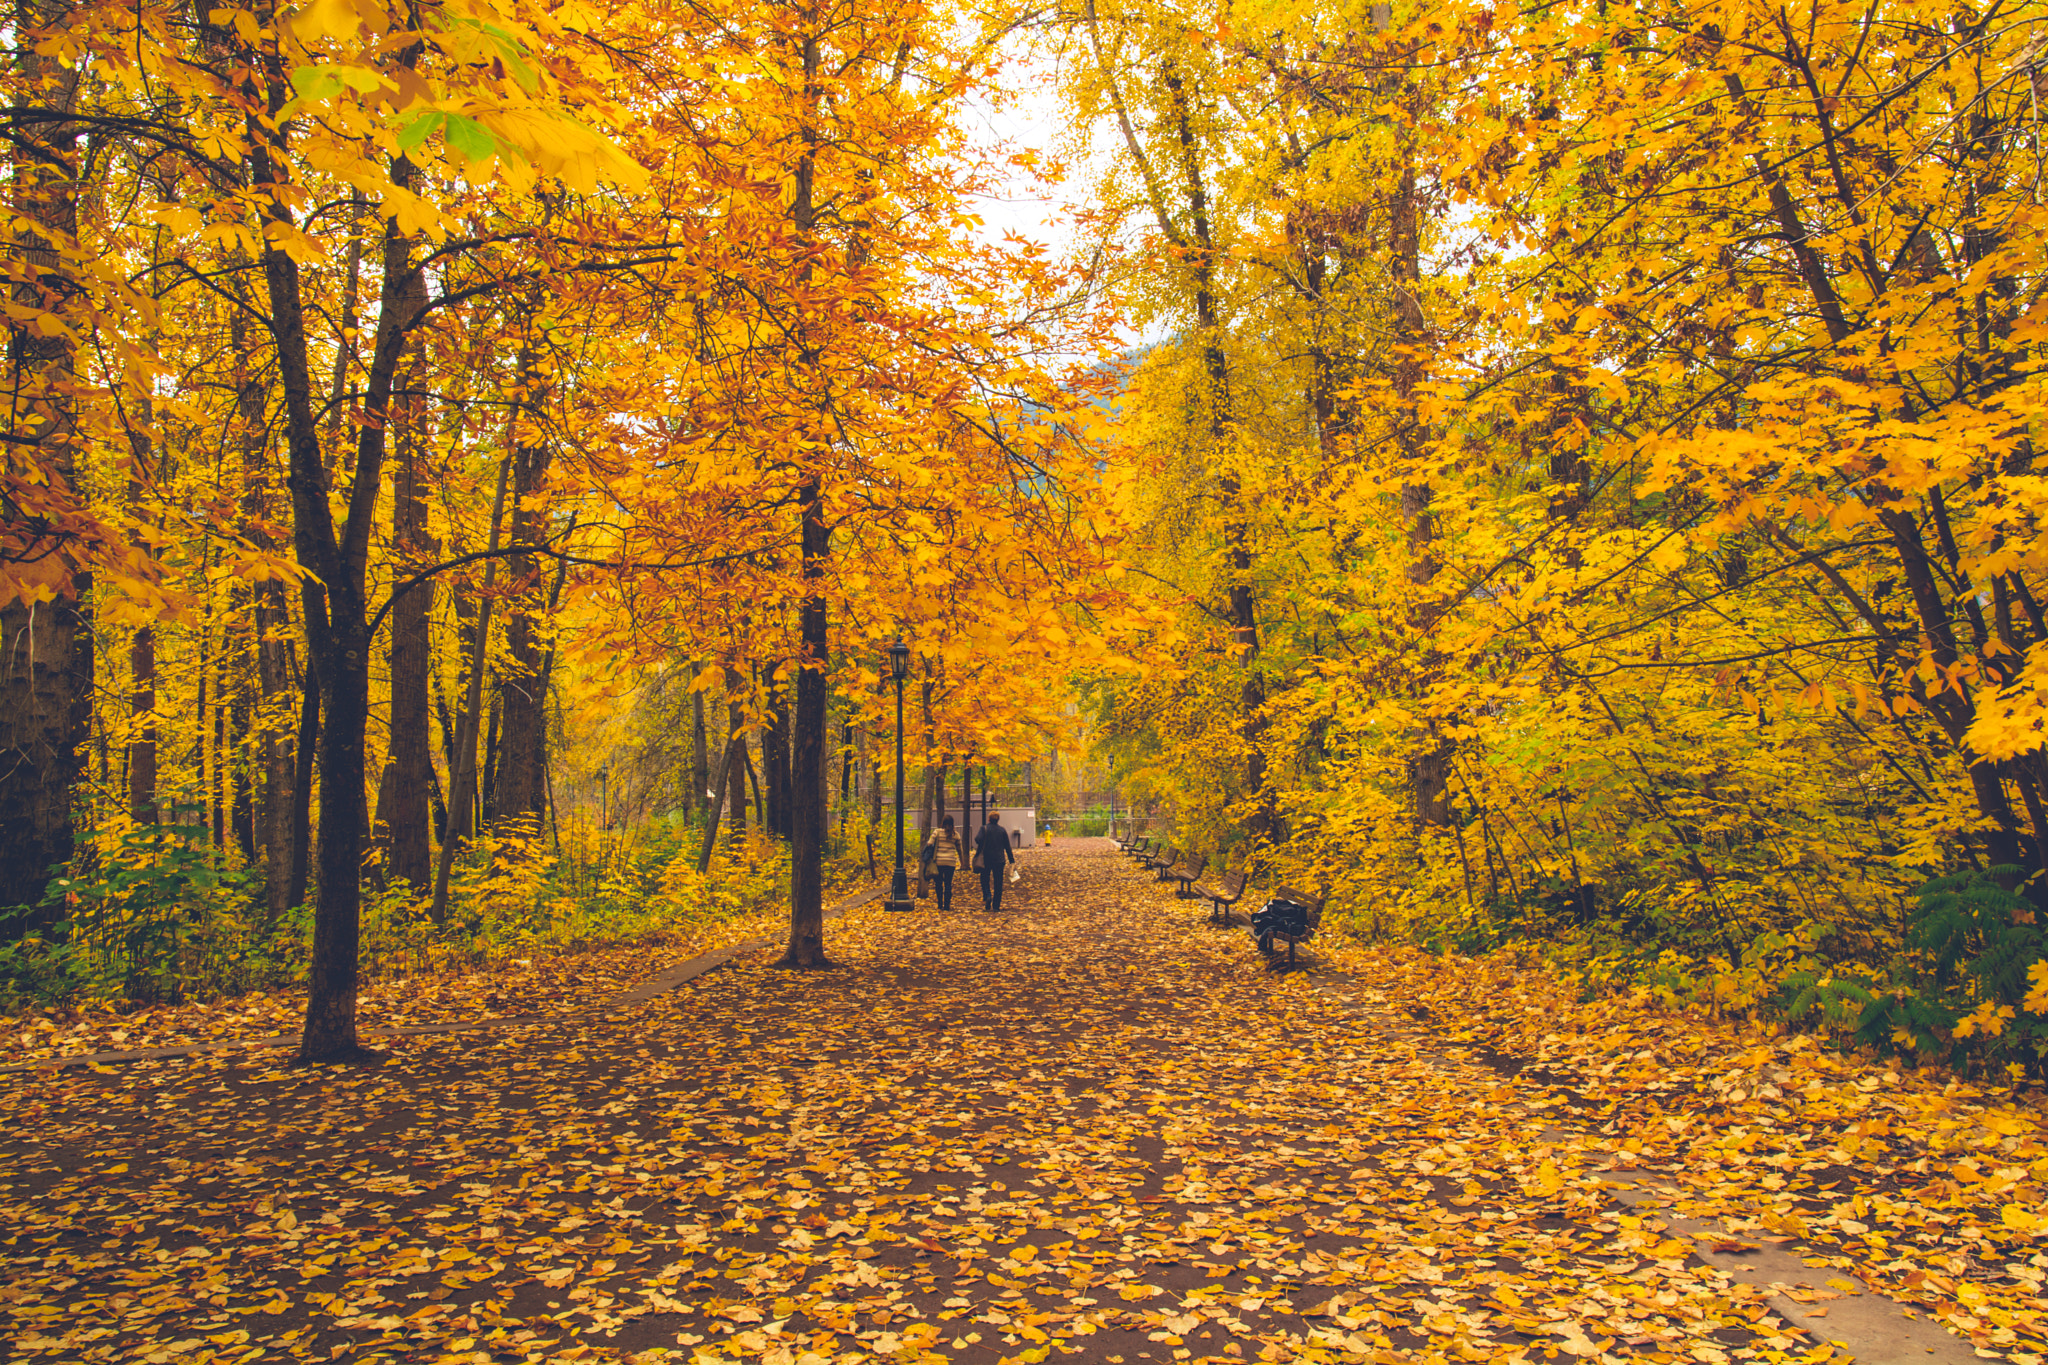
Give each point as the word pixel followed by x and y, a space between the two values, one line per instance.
pixel 808 752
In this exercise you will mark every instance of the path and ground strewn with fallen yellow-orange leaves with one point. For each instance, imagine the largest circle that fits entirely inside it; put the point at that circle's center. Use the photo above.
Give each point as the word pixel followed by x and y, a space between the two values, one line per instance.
pixel 1091 1129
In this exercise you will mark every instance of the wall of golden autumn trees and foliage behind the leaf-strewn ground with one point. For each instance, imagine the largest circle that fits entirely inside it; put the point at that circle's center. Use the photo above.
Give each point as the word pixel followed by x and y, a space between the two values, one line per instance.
pixel 1584 496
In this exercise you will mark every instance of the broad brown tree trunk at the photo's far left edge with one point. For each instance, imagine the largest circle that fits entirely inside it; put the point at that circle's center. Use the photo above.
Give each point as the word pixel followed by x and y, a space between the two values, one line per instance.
pixel 46 650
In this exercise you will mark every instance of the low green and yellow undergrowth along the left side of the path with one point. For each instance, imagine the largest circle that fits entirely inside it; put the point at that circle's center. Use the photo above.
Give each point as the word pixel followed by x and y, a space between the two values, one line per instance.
pixel 161 916
